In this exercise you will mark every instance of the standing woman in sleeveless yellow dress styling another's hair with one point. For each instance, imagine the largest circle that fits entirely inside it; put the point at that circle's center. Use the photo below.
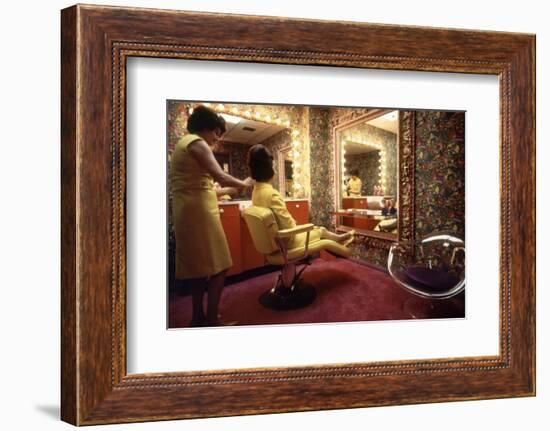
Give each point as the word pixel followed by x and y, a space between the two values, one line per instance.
pixel 202 253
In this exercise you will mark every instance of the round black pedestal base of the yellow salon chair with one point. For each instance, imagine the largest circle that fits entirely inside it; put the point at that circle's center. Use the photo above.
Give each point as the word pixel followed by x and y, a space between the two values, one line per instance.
pixel 299 295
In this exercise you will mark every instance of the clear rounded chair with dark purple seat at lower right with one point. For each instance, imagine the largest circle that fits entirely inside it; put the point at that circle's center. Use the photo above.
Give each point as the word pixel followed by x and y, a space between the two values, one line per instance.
pixel 432 268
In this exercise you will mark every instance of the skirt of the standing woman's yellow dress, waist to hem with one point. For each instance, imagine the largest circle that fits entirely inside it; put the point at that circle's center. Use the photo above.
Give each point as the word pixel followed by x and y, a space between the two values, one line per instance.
pixel 201 246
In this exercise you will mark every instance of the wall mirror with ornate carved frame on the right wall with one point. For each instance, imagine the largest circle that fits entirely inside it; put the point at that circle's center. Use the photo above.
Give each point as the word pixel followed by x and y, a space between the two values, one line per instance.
pixel 372 155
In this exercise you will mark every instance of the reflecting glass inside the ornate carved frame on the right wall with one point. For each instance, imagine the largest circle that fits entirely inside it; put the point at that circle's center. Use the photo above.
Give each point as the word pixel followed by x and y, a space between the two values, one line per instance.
pixel 368 151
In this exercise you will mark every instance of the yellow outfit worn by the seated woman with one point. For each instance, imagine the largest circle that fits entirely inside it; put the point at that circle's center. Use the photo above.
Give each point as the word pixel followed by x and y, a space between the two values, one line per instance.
pixel 264 195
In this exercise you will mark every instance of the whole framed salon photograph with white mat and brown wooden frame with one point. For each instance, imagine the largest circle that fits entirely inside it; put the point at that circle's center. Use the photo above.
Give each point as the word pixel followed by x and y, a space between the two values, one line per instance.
pixel 265 208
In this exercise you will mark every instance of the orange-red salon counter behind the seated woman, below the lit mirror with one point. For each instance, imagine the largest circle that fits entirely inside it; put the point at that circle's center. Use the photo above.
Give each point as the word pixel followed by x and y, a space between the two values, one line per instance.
pixel 242 248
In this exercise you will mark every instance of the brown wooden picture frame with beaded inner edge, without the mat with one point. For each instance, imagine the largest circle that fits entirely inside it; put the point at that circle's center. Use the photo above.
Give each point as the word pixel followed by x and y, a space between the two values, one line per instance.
pixel 96 42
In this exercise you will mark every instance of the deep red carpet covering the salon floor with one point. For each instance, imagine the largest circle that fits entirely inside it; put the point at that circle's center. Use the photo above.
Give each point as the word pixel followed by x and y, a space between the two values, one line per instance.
pixel 346 291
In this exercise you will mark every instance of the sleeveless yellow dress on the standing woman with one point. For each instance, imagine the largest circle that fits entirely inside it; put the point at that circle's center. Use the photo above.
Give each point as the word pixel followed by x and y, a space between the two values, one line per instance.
pixel 201 246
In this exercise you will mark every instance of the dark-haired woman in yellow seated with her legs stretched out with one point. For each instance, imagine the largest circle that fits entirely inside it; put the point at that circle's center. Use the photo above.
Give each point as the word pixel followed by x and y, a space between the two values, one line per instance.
pixel 260 162
